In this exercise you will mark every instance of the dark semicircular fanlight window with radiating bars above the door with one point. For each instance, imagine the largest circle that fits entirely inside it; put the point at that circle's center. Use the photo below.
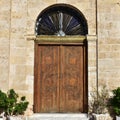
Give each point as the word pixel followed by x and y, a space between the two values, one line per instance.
pixel 61 20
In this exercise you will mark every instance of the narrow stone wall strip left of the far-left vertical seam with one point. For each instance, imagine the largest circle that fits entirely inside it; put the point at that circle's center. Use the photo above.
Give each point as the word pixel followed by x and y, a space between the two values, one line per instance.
pixel 4 43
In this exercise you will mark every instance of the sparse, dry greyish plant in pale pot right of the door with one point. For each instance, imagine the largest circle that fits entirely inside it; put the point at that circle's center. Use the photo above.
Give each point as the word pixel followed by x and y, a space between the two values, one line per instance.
pixel 98 104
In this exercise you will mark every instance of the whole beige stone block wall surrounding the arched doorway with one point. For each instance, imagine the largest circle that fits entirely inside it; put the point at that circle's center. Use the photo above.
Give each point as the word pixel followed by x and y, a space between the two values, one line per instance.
pixel 17 26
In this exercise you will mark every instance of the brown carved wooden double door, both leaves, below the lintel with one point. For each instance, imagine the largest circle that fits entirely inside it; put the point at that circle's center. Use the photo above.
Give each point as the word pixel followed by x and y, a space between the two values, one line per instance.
pixel 60 79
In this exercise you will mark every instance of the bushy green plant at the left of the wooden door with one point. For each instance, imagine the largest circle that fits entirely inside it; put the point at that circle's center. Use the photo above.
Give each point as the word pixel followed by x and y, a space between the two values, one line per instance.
pixel 11 105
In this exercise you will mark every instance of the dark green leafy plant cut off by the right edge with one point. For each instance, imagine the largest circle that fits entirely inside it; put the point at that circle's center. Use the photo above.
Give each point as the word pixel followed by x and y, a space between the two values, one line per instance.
pixel 115 102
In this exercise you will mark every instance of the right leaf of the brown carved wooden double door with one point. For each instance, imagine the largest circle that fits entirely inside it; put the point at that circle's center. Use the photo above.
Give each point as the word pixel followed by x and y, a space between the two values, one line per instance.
pixel 71 91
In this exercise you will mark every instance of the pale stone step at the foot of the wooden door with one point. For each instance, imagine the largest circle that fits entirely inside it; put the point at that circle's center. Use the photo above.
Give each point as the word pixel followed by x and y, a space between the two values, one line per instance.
pixel 58 116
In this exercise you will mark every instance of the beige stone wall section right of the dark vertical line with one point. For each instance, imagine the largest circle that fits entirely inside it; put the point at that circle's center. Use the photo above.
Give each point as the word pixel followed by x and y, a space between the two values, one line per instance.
pixel 109 43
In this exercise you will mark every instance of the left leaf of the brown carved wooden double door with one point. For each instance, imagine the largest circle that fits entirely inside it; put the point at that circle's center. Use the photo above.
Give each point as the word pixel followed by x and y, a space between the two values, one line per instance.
pixel 49 78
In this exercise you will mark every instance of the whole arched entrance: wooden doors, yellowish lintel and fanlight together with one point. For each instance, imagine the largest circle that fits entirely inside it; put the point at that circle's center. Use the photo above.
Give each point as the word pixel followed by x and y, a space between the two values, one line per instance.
pixel 60 64
